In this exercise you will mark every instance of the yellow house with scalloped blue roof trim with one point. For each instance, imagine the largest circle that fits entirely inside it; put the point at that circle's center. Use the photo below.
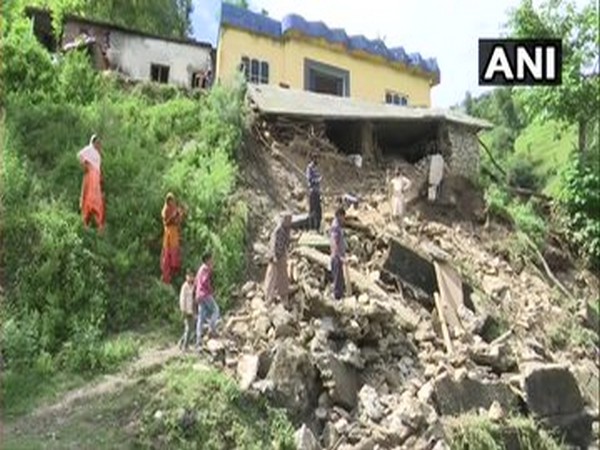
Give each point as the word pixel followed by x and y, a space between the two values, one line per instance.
pixel 310 56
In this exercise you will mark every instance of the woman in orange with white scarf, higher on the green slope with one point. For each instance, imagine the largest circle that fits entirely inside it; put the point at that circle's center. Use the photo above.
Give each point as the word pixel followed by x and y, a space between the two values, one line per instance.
pixel 91 201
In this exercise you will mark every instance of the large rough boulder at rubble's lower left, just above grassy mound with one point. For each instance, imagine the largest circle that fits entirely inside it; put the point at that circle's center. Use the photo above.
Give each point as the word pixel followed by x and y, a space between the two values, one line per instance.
pixel 294 379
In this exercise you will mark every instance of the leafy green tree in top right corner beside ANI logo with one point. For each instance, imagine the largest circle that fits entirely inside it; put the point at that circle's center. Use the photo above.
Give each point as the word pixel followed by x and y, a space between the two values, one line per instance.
pixel 577 100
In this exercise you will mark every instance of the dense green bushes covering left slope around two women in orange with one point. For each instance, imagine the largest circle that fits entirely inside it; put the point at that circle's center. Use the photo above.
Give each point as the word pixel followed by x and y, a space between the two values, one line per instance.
pixel 68 290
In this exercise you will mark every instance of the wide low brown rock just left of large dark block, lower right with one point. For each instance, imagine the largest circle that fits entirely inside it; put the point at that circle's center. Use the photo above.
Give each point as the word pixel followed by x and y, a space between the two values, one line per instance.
pixel 455 397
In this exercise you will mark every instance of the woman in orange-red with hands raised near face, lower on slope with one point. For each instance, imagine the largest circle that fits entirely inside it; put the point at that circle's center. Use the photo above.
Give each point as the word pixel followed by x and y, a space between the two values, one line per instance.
pixel 170 260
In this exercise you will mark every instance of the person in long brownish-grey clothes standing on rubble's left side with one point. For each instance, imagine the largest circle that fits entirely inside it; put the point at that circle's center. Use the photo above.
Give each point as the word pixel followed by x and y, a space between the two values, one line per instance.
pixel 276 279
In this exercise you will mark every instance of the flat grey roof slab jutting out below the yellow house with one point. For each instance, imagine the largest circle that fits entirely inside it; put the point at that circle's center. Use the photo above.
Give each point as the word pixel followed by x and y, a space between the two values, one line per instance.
pixel 273 100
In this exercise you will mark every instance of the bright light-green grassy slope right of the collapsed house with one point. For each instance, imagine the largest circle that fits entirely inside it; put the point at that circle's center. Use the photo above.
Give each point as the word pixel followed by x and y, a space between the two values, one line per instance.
pixel 548 148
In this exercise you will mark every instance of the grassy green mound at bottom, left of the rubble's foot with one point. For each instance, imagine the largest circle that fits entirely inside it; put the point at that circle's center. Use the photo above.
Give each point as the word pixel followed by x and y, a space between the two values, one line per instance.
pixel 196 407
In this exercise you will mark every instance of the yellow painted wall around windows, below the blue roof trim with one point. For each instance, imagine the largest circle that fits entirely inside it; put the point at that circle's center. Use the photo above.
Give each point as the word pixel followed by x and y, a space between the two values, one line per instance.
pixel 370 77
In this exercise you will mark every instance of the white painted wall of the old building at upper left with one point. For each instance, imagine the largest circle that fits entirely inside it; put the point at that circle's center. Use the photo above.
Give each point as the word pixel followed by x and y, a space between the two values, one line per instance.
pixel 134 55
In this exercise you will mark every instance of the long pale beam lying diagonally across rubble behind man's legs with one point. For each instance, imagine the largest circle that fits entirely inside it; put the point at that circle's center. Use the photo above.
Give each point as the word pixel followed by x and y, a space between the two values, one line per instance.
pixel 408 319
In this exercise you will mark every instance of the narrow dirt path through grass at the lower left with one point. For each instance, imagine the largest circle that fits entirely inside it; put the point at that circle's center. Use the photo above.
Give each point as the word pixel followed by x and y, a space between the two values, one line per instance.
pixel 147 362
